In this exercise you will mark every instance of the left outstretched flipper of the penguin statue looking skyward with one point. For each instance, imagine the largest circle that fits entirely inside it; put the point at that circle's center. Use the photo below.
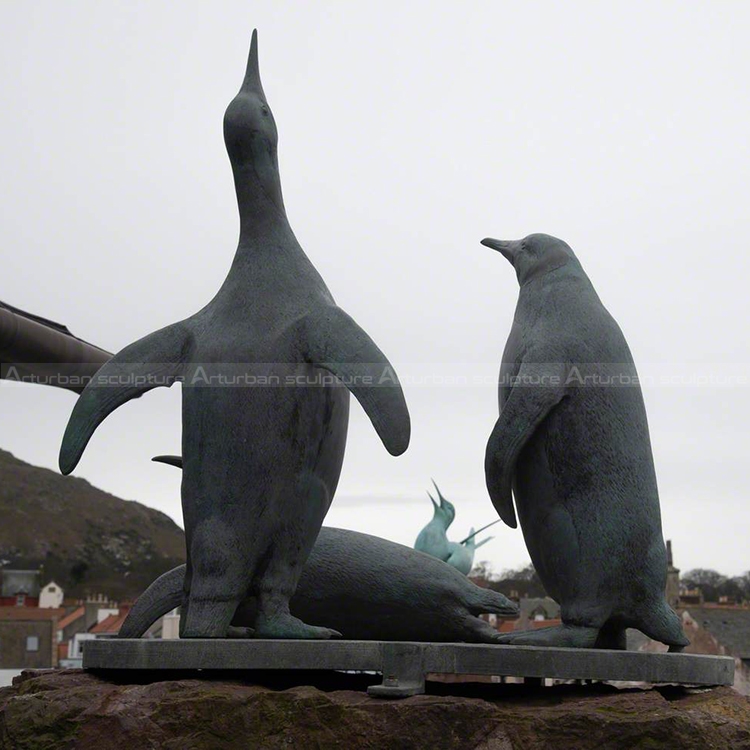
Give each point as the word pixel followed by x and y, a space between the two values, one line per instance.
pixel 153 361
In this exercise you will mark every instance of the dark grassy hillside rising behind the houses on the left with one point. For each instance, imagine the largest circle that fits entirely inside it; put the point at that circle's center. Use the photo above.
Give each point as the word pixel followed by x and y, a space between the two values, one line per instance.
pixel 87 540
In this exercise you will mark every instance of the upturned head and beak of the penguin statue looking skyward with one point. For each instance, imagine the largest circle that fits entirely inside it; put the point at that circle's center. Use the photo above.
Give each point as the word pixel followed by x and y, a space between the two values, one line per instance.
pixel 250 131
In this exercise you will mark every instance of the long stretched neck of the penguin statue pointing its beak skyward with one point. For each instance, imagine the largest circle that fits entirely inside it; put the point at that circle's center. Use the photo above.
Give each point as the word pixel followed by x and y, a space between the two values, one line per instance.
pixel 260 205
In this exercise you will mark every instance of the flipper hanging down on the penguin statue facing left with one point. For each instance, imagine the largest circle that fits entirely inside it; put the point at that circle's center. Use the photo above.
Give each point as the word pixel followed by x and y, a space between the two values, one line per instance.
pixel 524 410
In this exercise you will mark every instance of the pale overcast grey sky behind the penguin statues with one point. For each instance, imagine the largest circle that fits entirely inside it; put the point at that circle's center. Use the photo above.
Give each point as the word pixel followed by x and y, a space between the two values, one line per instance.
pixel 407 132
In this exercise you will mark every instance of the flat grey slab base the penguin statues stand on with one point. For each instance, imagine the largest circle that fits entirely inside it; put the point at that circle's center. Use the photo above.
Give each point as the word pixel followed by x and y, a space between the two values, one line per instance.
pixel 404 666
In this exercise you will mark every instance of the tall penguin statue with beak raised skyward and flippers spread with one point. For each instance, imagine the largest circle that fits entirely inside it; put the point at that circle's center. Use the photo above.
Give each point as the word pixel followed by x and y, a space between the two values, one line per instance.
pixel 261 464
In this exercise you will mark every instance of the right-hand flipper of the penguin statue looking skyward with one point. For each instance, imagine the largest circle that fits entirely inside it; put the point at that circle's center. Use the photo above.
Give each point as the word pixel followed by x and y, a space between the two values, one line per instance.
pixel 333 341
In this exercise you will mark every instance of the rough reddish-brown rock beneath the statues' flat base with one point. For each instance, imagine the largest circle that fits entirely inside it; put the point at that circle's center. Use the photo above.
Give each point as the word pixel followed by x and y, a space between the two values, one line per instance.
pixel 74 709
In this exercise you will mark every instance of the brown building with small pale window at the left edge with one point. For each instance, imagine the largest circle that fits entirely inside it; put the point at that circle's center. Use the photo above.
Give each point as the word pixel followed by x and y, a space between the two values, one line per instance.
pixel 28 637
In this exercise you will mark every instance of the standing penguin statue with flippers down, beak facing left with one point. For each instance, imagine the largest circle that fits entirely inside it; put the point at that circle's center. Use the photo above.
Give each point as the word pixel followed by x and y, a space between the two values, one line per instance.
pixel 572 445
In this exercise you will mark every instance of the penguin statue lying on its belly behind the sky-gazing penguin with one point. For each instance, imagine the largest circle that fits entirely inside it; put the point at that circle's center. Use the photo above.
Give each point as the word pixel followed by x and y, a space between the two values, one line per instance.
pixel 367 588
